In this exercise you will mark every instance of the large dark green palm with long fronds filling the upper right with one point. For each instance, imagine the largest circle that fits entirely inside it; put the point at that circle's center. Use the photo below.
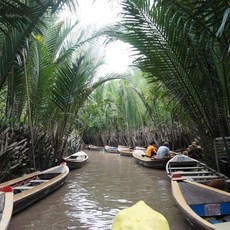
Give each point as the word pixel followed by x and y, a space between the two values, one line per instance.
pixel 176 44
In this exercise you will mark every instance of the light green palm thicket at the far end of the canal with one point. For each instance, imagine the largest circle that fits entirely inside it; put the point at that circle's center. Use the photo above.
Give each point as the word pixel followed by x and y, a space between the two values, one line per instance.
pixel 120 112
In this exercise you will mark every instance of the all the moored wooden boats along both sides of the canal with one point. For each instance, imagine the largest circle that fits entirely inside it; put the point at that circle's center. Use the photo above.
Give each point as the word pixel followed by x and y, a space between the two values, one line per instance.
pixel 197 189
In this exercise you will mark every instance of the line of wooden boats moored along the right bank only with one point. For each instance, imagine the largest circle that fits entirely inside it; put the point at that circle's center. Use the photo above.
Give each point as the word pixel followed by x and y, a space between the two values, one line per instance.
pixel 199 191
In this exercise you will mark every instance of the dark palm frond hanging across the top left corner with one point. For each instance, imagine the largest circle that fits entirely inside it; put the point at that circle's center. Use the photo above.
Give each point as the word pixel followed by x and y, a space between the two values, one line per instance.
pixel 18 20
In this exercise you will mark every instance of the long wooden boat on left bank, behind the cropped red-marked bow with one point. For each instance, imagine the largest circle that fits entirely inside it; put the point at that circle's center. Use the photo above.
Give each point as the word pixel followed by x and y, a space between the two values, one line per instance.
pixel 32 187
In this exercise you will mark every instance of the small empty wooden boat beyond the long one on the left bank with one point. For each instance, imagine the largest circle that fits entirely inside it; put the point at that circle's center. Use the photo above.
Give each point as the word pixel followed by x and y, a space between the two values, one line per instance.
pixel 76 160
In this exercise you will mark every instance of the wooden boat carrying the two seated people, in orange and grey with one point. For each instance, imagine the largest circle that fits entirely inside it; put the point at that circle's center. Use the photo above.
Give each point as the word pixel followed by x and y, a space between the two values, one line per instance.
pixel 141 159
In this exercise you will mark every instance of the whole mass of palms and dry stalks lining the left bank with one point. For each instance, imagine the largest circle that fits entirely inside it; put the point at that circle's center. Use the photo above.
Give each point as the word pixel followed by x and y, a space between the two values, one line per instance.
pixel 45 79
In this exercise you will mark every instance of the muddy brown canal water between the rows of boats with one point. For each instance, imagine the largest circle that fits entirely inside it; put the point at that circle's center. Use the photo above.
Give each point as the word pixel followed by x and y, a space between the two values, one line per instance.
pixel 94 194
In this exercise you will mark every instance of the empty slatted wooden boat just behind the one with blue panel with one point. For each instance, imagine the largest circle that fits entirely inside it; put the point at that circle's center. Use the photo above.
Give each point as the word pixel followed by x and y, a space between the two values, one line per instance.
pixel 194 170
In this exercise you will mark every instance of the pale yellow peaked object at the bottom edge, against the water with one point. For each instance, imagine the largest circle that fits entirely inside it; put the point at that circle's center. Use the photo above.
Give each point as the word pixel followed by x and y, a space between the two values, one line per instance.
pixel 139 217
